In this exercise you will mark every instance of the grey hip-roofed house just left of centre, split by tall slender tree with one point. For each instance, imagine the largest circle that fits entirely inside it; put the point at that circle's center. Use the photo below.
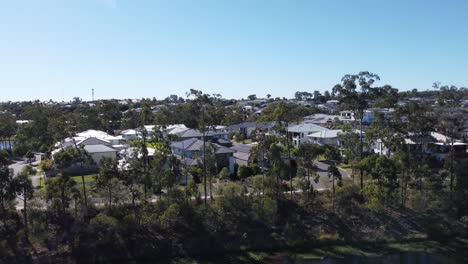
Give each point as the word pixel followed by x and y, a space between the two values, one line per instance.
pixel 190 151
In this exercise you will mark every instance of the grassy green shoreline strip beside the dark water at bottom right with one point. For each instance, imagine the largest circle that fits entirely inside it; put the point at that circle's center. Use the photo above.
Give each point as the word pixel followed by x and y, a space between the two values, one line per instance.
pixel 341 250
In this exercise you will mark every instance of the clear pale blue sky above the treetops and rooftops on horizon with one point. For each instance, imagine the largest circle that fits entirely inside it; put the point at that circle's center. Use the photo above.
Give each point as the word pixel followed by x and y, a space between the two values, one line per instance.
pixel 60 49
